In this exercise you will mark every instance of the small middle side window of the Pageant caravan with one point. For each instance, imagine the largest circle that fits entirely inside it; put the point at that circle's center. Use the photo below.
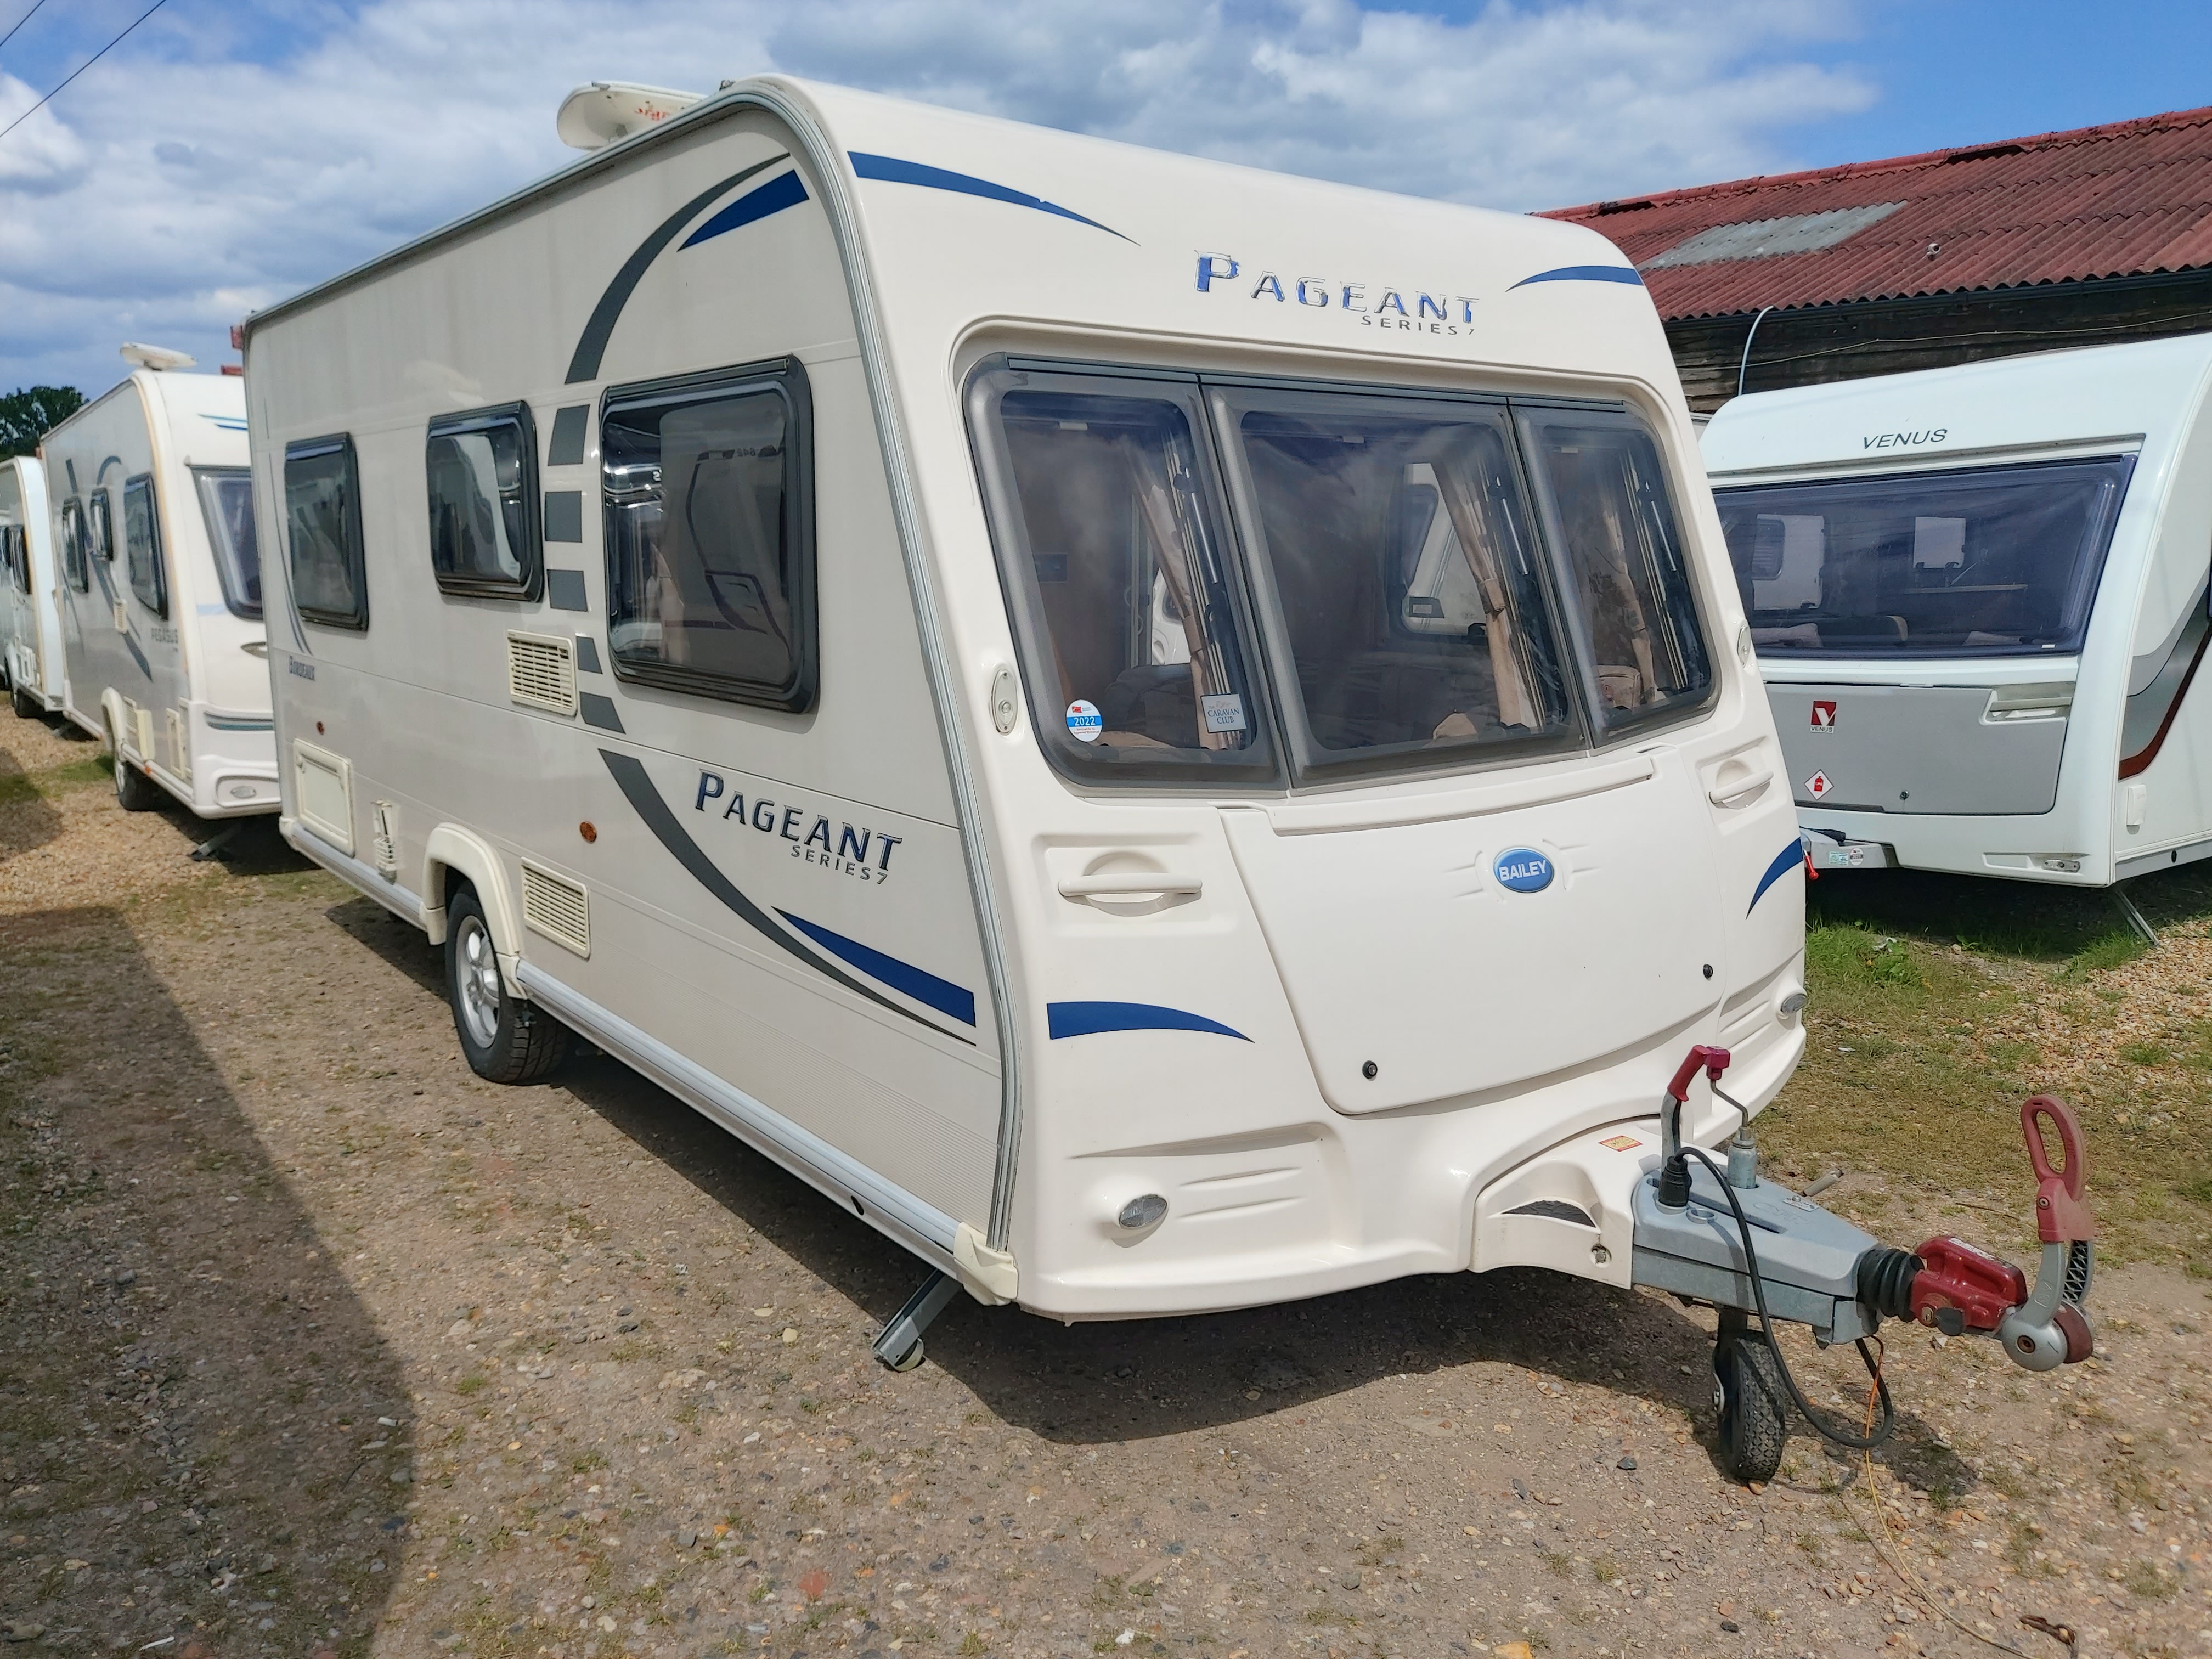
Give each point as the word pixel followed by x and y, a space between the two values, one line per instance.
pixel 483 503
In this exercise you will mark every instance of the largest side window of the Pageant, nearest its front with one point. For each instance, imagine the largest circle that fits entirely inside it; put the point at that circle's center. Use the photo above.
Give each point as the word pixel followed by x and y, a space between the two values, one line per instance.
pixel 709 505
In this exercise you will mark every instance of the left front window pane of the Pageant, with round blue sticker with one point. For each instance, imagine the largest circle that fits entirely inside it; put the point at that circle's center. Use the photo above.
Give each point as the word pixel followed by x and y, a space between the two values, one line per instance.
pixel 1114 563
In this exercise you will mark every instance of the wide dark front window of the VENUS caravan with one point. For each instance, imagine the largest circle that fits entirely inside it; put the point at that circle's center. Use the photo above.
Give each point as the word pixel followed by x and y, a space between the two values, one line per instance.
pixel 1987 561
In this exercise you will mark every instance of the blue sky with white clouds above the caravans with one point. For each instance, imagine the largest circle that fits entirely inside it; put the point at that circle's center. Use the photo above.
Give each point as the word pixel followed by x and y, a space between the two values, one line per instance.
pixel 236 152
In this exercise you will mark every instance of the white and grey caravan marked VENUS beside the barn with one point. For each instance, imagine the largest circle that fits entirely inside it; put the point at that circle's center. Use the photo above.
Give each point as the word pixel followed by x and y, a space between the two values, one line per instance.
pixel 1979 598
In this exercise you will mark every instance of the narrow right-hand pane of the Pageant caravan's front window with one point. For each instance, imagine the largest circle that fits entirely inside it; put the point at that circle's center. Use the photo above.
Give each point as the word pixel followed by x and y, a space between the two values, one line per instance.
pixel 1629 587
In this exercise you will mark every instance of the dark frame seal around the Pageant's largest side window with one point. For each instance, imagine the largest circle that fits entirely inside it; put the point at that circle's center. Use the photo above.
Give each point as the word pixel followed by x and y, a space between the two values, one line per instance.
pixel 789 379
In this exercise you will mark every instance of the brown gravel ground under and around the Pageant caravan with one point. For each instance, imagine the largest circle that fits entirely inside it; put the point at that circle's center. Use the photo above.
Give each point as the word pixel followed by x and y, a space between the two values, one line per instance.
pixel 315 1344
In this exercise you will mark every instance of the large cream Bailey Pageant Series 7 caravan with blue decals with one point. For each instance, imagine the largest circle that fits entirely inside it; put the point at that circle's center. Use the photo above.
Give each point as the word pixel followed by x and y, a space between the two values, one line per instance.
pixel 1169 738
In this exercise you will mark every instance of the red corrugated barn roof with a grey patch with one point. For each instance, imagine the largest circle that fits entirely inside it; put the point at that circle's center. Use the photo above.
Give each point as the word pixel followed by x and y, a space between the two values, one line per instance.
pixel 2098 202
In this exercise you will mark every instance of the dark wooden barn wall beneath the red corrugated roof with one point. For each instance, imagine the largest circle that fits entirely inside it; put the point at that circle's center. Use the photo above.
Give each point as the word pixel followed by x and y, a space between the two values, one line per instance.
pixel 1817 344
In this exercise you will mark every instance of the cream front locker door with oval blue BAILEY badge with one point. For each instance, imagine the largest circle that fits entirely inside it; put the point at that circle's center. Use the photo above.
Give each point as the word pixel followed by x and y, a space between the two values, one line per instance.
pixel 1477 952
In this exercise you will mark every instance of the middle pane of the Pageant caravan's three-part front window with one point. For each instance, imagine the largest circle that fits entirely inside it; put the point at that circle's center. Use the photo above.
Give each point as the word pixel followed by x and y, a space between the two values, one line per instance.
pixel 1408 596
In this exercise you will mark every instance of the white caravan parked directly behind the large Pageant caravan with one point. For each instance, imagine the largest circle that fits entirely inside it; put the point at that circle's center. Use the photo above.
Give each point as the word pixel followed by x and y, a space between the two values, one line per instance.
pixel 160 589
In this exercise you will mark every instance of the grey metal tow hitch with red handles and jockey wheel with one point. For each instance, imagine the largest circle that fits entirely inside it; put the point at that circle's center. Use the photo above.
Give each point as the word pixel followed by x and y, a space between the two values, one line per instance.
pixel 1724 1238
